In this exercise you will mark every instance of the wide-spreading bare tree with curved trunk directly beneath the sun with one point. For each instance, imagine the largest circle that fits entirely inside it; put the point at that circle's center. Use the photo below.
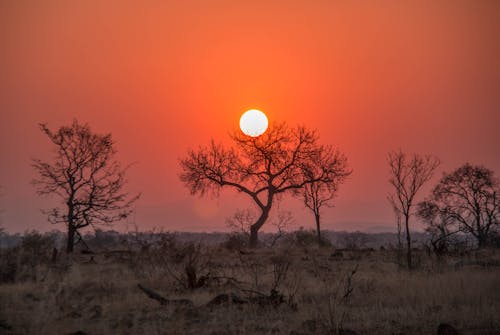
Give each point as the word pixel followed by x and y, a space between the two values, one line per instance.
pixel 282 160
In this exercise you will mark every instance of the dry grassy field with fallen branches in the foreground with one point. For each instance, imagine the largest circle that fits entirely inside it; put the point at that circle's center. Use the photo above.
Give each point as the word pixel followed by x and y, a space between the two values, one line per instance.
pixel 286 290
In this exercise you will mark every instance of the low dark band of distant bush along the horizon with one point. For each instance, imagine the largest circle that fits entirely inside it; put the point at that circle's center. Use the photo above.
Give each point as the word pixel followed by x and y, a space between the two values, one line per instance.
pixel 110 239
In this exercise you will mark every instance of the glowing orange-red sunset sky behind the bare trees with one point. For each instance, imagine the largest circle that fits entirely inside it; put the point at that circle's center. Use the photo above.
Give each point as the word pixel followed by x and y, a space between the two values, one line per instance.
pixel 163 76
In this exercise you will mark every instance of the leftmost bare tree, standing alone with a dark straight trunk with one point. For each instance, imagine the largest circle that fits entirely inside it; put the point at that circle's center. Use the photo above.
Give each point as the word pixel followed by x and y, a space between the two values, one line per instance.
pixel 85 177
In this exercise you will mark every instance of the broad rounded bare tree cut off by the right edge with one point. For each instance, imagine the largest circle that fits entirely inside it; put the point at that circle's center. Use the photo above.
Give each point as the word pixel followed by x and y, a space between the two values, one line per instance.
pixel 468 200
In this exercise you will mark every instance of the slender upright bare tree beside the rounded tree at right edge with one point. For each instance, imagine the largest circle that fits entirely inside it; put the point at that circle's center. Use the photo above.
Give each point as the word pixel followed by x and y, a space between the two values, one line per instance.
pixel 407 176
